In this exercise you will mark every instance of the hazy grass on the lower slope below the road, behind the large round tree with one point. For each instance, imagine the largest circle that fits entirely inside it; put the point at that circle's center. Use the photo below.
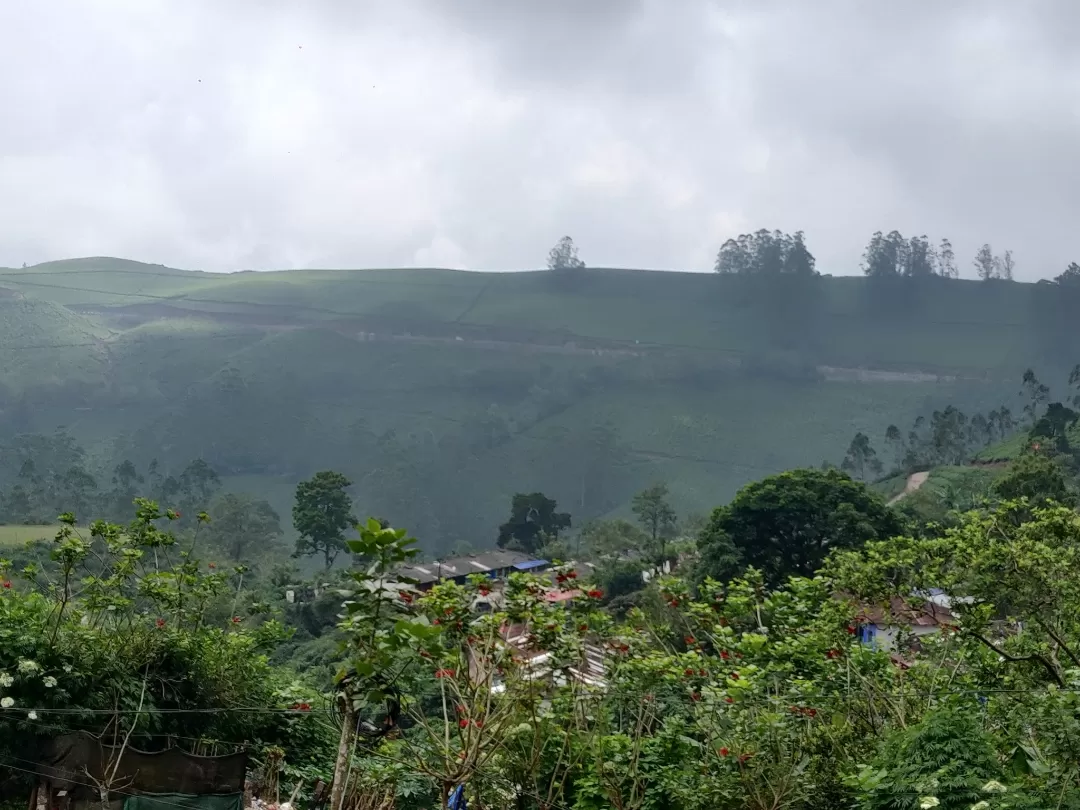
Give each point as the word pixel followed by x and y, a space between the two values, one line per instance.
pixel 705 445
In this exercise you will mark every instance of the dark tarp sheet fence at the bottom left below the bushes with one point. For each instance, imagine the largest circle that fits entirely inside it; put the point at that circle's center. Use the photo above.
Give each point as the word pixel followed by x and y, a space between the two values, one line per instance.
pixel 67 761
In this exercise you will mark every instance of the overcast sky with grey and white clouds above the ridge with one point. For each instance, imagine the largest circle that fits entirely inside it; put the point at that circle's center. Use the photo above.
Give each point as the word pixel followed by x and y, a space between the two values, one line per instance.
pixel 228 134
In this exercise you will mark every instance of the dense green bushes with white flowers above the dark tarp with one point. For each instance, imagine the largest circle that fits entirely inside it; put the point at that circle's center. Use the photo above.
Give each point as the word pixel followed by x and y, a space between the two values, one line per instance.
pixel 123 631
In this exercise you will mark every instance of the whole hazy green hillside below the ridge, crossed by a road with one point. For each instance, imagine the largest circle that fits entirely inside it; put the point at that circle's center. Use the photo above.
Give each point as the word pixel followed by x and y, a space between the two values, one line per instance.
pixel 442 394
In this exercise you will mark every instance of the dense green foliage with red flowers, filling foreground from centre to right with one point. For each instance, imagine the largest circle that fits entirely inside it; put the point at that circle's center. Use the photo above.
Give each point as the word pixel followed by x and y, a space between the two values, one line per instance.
pixel 739 696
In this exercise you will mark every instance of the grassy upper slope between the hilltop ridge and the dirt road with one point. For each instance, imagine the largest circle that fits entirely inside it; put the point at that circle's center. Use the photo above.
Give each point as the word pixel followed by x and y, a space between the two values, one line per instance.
pixel 958 326
